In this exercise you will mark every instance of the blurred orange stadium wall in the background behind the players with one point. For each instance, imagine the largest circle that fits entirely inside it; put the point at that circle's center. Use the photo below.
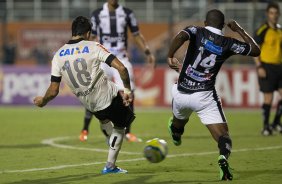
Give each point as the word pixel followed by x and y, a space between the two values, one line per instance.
pixel 27 36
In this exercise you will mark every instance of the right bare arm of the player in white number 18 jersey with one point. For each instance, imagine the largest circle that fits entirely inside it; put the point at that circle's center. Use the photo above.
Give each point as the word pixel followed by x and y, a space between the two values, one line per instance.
pixel 127 95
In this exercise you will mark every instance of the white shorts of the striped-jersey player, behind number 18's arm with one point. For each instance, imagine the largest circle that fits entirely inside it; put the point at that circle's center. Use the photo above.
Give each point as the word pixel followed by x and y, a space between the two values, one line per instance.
pixel 113 74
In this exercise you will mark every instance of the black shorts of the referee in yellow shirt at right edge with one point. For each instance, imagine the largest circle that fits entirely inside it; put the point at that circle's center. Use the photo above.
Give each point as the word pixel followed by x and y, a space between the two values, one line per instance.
pixel 273 80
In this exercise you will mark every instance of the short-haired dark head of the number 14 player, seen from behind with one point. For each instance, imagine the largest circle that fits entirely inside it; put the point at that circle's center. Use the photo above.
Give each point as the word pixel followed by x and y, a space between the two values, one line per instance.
pixel 215 18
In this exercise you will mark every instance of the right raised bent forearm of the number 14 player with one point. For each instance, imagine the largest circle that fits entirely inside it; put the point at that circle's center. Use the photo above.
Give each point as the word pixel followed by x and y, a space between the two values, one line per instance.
pixel 234 26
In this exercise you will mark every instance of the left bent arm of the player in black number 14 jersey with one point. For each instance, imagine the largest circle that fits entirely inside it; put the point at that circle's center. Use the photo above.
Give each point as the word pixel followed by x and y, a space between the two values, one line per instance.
pixel 177 42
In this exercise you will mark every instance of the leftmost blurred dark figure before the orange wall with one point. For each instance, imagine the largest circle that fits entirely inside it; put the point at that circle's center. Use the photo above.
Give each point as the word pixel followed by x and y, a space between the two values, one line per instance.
pixel 9 51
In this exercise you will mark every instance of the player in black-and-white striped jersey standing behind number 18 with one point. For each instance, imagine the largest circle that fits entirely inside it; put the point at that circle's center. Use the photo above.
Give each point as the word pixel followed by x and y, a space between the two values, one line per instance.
pixel 110 25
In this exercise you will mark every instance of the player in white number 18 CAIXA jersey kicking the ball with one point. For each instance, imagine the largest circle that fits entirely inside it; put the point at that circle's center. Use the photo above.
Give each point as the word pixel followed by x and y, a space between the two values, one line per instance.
pixel 78 63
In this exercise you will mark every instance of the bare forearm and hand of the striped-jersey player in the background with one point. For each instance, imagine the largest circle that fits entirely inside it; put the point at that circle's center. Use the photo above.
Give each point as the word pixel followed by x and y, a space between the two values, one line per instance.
pixel 140 41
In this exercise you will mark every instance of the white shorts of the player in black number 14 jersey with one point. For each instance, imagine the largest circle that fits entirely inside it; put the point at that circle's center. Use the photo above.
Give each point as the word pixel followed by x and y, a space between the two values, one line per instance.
pixel 206 104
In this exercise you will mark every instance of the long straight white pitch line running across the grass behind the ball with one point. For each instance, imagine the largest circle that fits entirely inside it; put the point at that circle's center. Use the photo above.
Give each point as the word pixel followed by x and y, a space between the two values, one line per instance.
pixel 134 160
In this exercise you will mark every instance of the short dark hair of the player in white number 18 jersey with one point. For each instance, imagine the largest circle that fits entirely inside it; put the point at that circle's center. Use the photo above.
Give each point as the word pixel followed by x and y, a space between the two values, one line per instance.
pixel 80 26
